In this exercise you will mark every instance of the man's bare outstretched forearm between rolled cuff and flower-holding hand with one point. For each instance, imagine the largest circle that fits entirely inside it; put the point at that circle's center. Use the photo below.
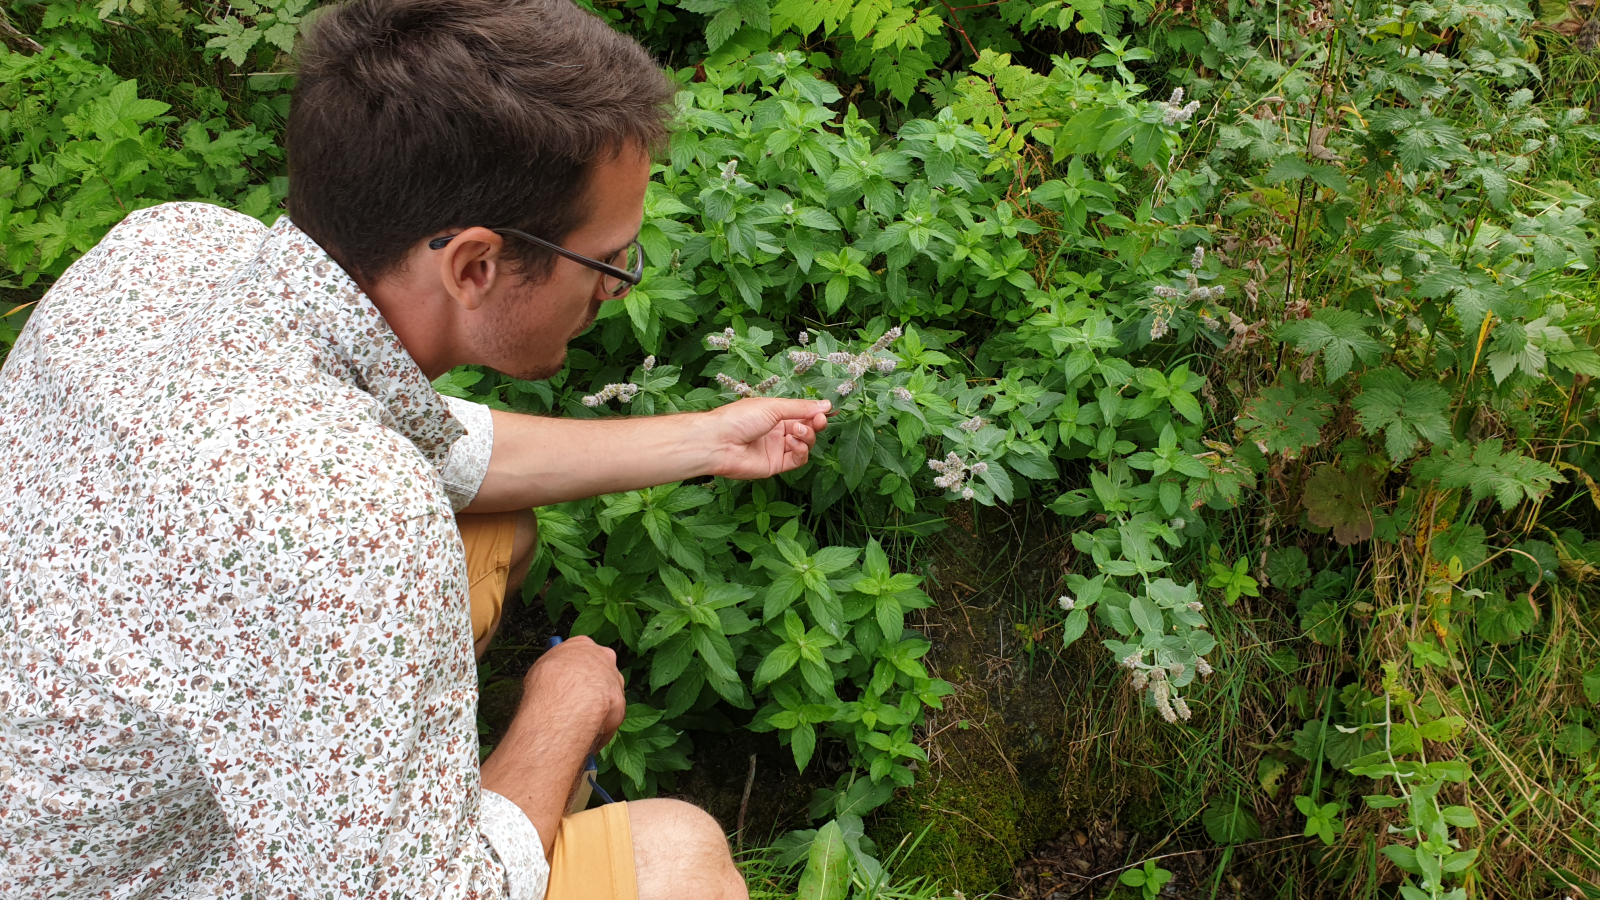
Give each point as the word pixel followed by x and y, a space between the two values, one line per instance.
pixel 543 460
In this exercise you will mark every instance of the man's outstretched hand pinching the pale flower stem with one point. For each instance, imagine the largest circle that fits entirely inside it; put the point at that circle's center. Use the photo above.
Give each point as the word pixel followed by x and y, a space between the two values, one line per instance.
pixel 761 438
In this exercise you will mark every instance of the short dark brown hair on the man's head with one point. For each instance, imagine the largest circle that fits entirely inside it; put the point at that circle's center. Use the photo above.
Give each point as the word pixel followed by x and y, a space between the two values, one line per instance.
pixel 418 116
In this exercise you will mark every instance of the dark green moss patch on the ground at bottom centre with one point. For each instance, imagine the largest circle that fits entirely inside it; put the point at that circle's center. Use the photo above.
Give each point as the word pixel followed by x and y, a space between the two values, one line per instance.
pixel 978 827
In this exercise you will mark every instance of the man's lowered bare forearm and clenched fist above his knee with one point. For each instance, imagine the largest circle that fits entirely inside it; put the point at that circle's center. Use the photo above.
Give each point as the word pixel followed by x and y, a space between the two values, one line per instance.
pixel 572 704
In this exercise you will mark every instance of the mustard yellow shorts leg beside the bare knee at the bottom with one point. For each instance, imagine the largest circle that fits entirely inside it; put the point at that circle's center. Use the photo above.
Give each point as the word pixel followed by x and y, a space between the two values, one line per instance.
pixel 594 858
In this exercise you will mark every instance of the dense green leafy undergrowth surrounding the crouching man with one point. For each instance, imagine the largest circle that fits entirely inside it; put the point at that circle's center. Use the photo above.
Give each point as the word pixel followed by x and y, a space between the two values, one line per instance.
pixel 1282 318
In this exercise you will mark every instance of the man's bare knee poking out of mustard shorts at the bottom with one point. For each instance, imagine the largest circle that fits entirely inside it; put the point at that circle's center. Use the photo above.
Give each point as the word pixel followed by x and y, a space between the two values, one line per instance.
pixel 681 853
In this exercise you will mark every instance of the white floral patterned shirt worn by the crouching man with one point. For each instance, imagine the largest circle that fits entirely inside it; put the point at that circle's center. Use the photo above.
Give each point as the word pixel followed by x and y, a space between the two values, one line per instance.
pixel 236 651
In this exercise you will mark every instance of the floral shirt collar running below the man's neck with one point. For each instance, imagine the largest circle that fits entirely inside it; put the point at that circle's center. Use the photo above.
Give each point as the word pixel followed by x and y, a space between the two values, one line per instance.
pixel 361 347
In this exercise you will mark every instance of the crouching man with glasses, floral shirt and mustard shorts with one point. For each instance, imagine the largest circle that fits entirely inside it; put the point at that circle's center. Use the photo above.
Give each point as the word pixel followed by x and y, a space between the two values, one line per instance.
pixel 238 609
